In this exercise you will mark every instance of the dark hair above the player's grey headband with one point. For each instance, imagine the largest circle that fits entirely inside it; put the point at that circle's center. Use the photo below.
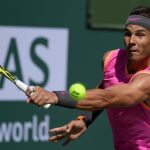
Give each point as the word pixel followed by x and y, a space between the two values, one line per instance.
pixel 141 10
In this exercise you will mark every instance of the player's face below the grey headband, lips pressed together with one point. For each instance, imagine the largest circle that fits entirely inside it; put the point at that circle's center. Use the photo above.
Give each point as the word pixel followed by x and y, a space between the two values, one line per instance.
pixel 137 43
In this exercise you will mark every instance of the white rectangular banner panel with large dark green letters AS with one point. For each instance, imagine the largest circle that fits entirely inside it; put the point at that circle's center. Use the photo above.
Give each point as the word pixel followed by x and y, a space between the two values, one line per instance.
pixel 37 56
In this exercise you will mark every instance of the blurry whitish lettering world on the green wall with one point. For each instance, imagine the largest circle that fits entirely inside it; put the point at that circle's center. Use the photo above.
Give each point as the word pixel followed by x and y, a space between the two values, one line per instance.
pixel 25 131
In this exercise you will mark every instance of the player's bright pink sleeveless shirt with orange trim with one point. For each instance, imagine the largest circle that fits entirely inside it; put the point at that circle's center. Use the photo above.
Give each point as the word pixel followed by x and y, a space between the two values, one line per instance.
pixel 130 126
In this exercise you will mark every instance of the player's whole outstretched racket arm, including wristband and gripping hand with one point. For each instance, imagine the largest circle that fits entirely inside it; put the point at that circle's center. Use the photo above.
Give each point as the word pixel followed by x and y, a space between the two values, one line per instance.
pixel 123 95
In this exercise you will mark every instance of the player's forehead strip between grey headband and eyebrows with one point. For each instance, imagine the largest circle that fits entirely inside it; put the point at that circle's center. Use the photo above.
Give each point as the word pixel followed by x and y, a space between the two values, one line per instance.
pixel 132 27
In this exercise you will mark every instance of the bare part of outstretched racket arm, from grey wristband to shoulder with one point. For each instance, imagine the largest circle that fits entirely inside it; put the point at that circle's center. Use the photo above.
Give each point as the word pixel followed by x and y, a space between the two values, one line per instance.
pixel 123 95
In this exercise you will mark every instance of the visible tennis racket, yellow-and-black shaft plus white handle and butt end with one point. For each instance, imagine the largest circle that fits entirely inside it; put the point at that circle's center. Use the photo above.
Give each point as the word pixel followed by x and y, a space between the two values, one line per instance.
pixel 22 86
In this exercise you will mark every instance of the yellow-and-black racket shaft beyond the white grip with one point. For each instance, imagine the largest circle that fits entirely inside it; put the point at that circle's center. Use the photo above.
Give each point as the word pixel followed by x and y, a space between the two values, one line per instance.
pixel 6 74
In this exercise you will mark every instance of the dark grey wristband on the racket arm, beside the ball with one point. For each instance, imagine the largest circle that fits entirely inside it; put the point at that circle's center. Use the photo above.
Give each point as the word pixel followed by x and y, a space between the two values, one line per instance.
pixel 65 100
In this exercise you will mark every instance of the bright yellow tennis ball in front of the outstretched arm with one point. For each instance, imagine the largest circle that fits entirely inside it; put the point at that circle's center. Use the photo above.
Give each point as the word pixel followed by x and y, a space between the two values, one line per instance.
pixel 77 91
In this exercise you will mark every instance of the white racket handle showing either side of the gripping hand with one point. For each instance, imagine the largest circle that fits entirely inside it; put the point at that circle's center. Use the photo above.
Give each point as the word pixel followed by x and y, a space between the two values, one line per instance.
pixel 22 86
